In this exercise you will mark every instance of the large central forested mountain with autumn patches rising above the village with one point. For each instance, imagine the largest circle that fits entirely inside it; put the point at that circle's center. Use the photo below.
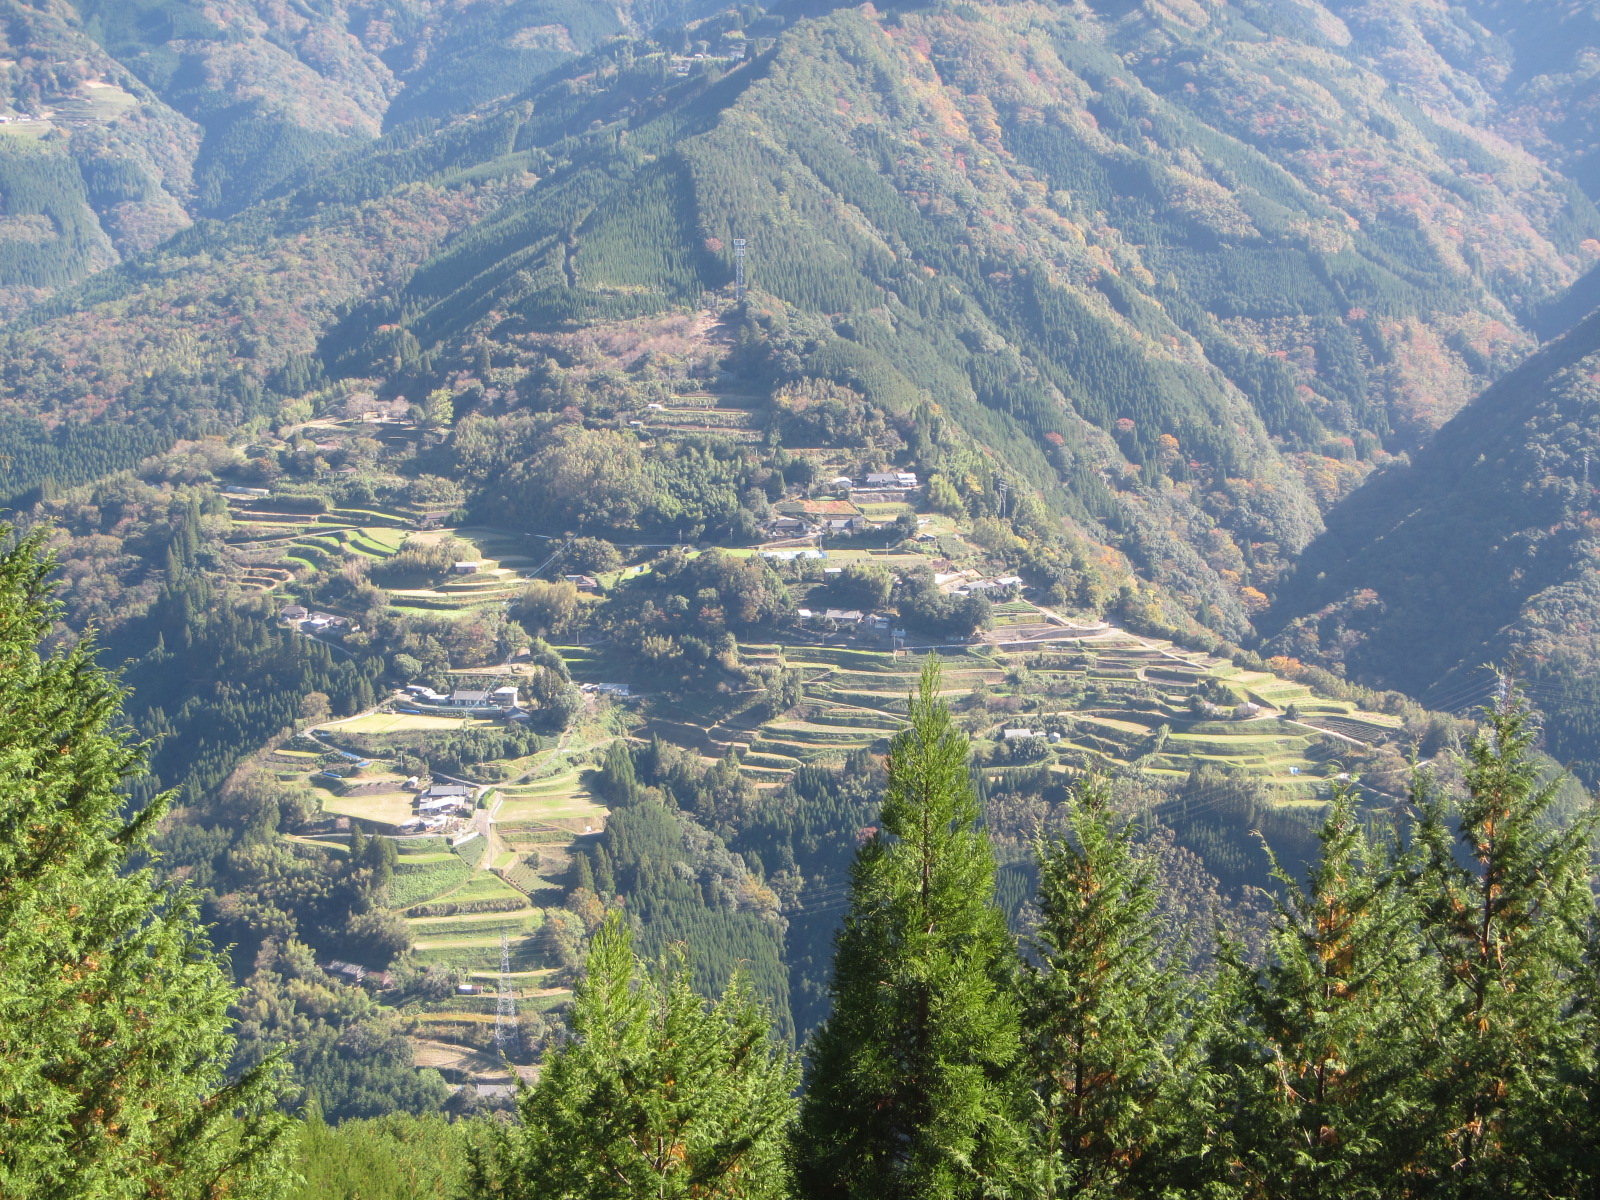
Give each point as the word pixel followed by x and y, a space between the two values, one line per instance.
pixel 1188 271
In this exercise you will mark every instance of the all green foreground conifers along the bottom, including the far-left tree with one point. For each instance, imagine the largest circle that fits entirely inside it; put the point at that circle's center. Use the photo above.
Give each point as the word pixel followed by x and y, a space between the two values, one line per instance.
pixel 1423 1023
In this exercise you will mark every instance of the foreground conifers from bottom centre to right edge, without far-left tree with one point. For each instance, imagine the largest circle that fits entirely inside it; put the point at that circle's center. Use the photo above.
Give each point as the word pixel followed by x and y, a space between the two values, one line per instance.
pixel 1423 1023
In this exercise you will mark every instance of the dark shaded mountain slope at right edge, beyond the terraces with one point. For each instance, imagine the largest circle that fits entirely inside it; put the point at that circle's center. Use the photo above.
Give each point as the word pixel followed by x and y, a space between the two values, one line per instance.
pixel 1484 550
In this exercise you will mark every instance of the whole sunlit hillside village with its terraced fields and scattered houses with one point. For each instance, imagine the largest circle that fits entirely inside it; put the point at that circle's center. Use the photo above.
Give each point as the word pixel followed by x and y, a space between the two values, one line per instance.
pixel 486 850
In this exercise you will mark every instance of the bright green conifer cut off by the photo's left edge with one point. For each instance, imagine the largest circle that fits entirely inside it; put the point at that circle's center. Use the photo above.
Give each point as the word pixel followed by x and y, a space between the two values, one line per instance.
pixel 114 1031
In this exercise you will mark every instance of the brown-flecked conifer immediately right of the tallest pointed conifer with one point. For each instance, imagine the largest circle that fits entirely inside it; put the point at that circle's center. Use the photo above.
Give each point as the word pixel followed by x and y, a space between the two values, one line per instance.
pixel 1105 1015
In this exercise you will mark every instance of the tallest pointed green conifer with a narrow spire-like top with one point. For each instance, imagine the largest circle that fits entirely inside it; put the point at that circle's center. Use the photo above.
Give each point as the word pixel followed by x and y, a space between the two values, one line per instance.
pixel 913 1082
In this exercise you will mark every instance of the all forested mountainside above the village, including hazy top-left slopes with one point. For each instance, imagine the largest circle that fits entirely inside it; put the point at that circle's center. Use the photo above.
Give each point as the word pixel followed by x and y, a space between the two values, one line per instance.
pixel 1182 273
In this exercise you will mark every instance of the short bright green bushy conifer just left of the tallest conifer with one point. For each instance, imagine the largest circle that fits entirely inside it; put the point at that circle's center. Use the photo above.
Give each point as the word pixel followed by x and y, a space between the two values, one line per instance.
pixel 660 1095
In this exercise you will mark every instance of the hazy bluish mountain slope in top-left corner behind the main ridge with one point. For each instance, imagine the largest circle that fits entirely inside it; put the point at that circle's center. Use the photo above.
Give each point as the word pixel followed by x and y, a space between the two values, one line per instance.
pixel 126 122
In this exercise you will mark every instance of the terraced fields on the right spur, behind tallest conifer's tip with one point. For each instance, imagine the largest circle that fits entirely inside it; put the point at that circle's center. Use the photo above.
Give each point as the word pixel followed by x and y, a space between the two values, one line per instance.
pixel 1094 697
